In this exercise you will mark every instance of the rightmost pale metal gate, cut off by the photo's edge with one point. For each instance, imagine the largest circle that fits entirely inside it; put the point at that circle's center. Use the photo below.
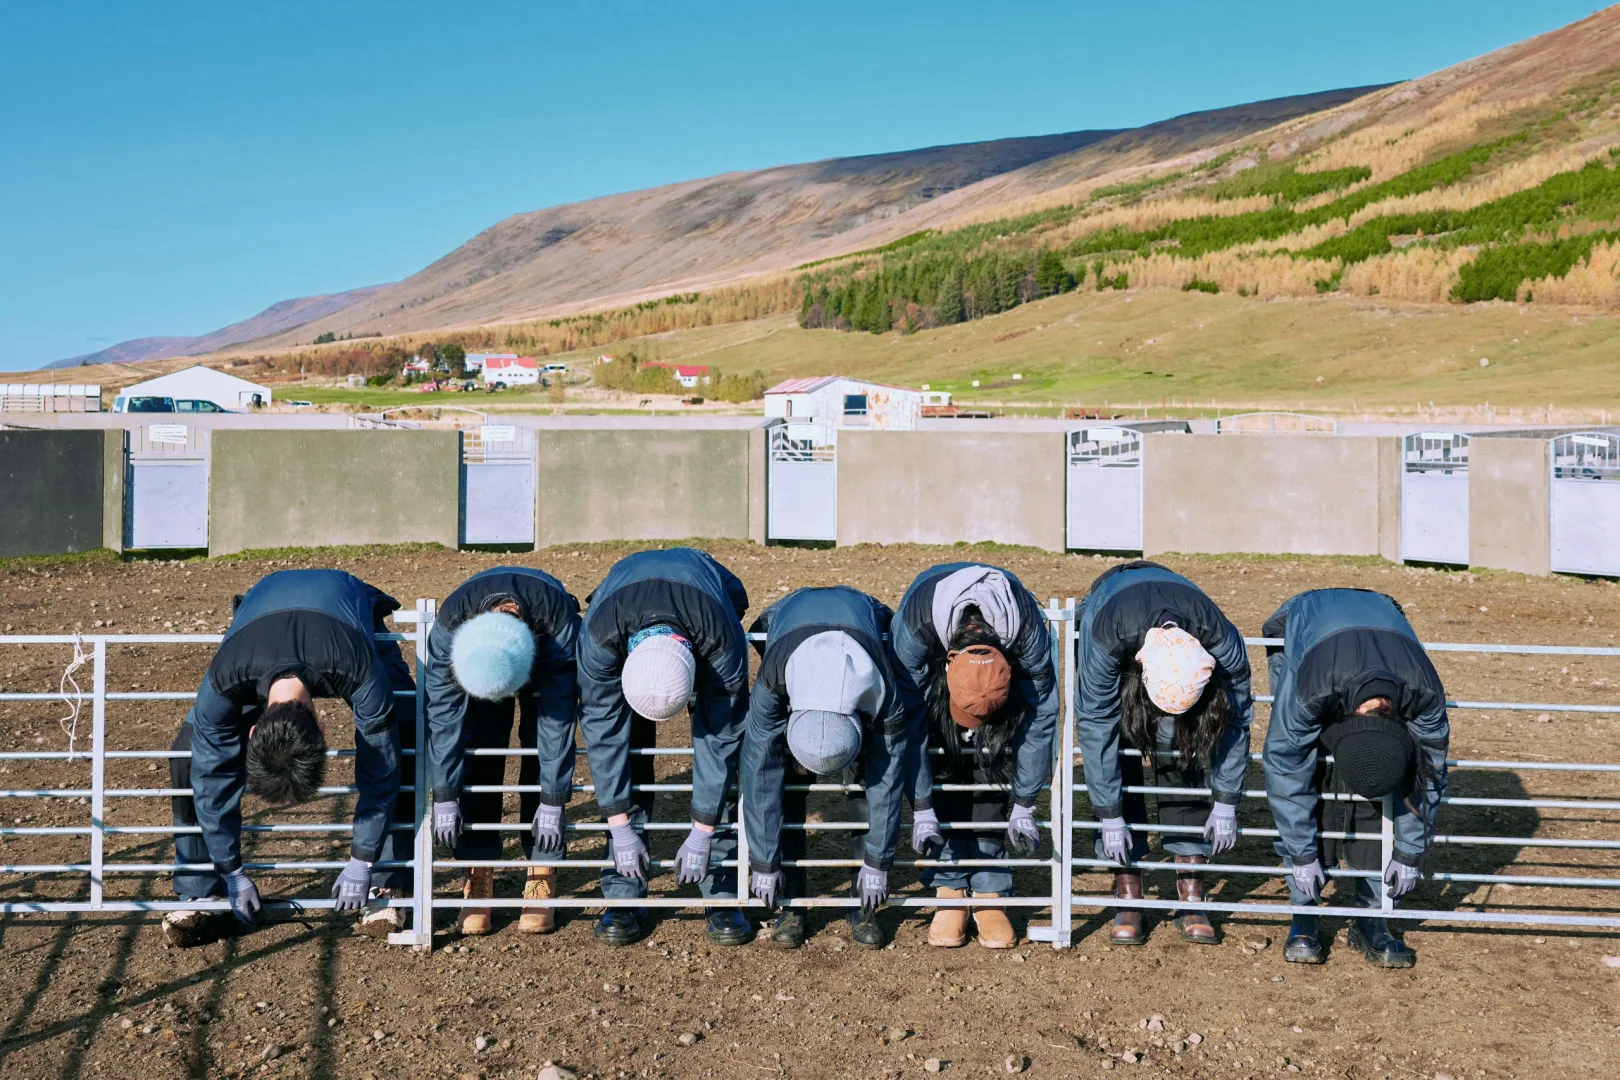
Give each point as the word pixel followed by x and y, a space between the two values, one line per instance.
pixel 1587 504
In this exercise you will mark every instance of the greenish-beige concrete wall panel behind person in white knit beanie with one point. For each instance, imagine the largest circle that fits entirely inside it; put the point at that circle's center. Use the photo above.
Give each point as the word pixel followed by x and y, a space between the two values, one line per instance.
pixel 644 485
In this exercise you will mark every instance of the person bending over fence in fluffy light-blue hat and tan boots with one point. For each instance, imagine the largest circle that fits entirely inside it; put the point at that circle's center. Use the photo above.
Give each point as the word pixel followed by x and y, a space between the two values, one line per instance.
pixel 503 636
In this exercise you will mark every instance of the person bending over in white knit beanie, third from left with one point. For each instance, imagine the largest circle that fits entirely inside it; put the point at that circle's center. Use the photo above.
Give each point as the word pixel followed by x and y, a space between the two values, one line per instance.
pixel 663 629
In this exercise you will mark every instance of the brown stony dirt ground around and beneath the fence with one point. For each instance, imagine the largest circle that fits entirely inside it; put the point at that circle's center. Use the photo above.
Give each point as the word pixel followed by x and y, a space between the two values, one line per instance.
pixel 104 997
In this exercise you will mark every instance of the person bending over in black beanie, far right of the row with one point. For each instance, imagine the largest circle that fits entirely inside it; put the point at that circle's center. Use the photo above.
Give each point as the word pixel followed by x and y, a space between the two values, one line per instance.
pixel 1358 712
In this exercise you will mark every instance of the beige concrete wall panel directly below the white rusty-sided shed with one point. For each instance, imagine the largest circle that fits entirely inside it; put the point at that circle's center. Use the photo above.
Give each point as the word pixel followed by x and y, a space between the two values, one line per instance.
pixel 940 488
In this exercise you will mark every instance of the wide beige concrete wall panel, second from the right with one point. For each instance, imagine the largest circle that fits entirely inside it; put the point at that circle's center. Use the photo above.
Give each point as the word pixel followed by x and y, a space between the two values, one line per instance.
pixel 1266 495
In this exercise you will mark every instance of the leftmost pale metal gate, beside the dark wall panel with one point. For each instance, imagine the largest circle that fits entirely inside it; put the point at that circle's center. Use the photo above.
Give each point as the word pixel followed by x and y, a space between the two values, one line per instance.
pixel 166 487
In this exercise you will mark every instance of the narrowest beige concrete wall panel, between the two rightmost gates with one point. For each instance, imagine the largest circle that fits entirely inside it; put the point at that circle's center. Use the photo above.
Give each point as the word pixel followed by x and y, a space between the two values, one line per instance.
pixel 1509 506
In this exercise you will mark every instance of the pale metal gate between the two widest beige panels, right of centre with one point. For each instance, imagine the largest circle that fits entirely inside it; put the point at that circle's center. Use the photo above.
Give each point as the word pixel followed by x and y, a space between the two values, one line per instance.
pixel 1106 490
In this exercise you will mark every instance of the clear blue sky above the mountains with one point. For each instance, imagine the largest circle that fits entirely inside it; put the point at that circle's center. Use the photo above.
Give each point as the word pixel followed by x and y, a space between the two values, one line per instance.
pixel 174 168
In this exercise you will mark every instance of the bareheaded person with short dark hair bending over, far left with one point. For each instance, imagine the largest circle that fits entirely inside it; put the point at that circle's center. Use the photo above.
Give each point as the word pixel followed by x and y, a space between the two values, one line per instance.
pixel 294 637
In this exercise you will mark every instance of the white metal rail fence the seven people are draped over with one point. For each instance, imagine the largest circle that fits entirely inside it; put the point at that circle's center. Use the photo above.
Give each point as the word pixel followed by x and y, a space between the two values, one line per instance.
pixel 1060 899
